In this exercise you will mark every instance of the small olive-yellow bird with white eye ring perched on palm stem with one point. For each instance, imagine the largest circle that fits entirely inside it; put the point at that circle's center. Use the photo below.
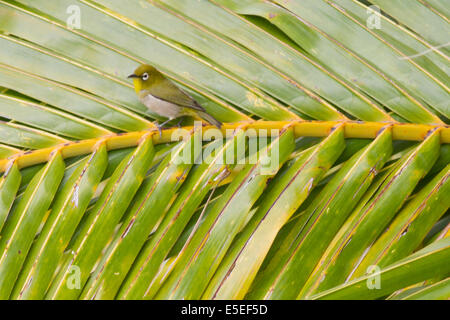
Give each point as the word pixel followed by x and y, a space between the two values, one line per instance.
pixel 163 97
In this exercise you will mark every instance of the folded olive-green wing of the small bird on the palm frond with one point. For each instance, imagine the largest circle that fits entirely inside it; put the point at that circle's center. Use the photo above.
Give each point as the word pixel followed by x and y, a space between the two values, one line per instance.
pixel 166 90
